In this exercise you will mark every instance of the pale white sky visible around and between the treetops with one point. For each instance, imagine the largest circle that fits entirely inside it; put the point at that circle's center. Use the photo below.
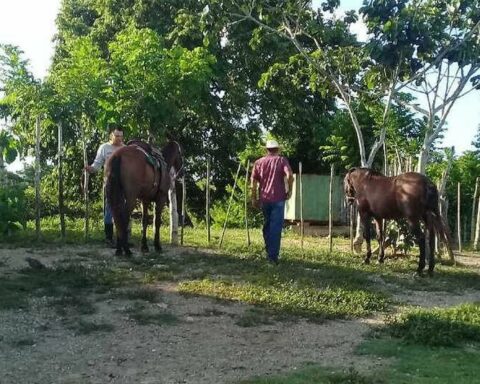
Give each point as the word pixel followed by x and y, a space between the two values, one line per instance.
pixel 30 25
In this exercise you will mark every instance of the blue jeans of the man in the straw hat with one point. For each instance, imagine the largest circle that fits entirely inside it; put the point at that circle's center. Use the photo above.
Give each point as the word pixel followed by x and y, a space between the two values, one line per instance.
pixel 273 214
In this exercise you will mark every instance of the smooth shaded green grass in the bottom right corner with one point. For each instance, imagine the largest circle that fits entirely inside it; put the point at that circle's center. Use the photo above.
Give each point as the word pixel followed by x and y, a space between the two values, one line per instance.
pixel 420 364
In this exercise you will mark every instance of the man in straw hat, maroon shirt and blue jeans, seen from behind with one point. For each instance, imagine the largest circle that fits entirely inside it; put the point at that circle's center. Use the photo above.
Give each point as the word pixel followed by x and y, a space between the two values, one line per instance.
pixel 268 178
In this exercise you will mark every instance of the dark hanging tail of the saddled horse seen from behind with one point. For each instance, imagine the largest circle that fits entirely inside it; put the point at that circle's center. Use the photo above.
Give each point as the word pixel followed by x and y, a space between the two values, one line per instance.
pixel 116 195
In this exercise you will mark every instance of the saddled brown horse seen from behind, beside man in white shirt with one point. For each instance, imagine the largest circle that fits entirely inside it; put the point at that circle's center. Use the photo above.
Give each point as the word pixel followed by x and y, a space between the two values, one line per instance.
pixel 130 176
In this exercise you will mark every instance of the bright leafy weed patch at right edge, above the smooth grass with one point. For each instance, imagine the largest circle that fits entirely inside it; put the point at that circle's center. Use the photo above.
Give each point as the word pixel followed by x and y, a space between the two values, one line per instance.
pixel 437 327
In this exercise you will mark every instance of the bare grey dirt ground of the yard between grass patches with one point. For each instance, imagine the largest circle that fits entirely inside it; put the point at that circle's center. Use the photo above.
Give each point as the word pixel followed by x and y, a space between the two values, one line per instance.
pixel 204 346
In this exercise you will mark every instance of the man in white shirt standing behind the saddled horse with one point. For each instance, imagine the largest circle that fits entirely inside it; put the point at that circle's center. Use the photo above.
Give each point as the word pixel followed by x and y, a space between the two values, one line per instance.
pixel 104 152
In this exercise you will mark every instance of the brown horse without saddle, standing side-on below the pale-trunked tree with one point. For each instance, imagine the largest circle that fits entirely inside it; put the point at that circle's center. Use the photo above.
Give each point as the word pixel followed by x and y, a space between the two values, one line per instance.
pixel 410 195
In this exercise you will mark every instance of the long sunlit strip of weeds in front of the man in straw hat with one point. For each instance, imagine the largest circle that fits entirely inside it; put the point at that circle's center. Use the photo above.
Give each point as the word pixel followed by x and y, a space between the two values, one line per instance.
pixel 292 298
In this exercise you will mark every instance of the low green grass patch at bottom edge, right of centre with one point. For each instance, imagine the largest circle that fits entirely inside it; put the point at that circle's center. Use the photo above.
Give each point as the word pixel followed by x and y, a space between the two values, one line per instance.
pixel 318 375
